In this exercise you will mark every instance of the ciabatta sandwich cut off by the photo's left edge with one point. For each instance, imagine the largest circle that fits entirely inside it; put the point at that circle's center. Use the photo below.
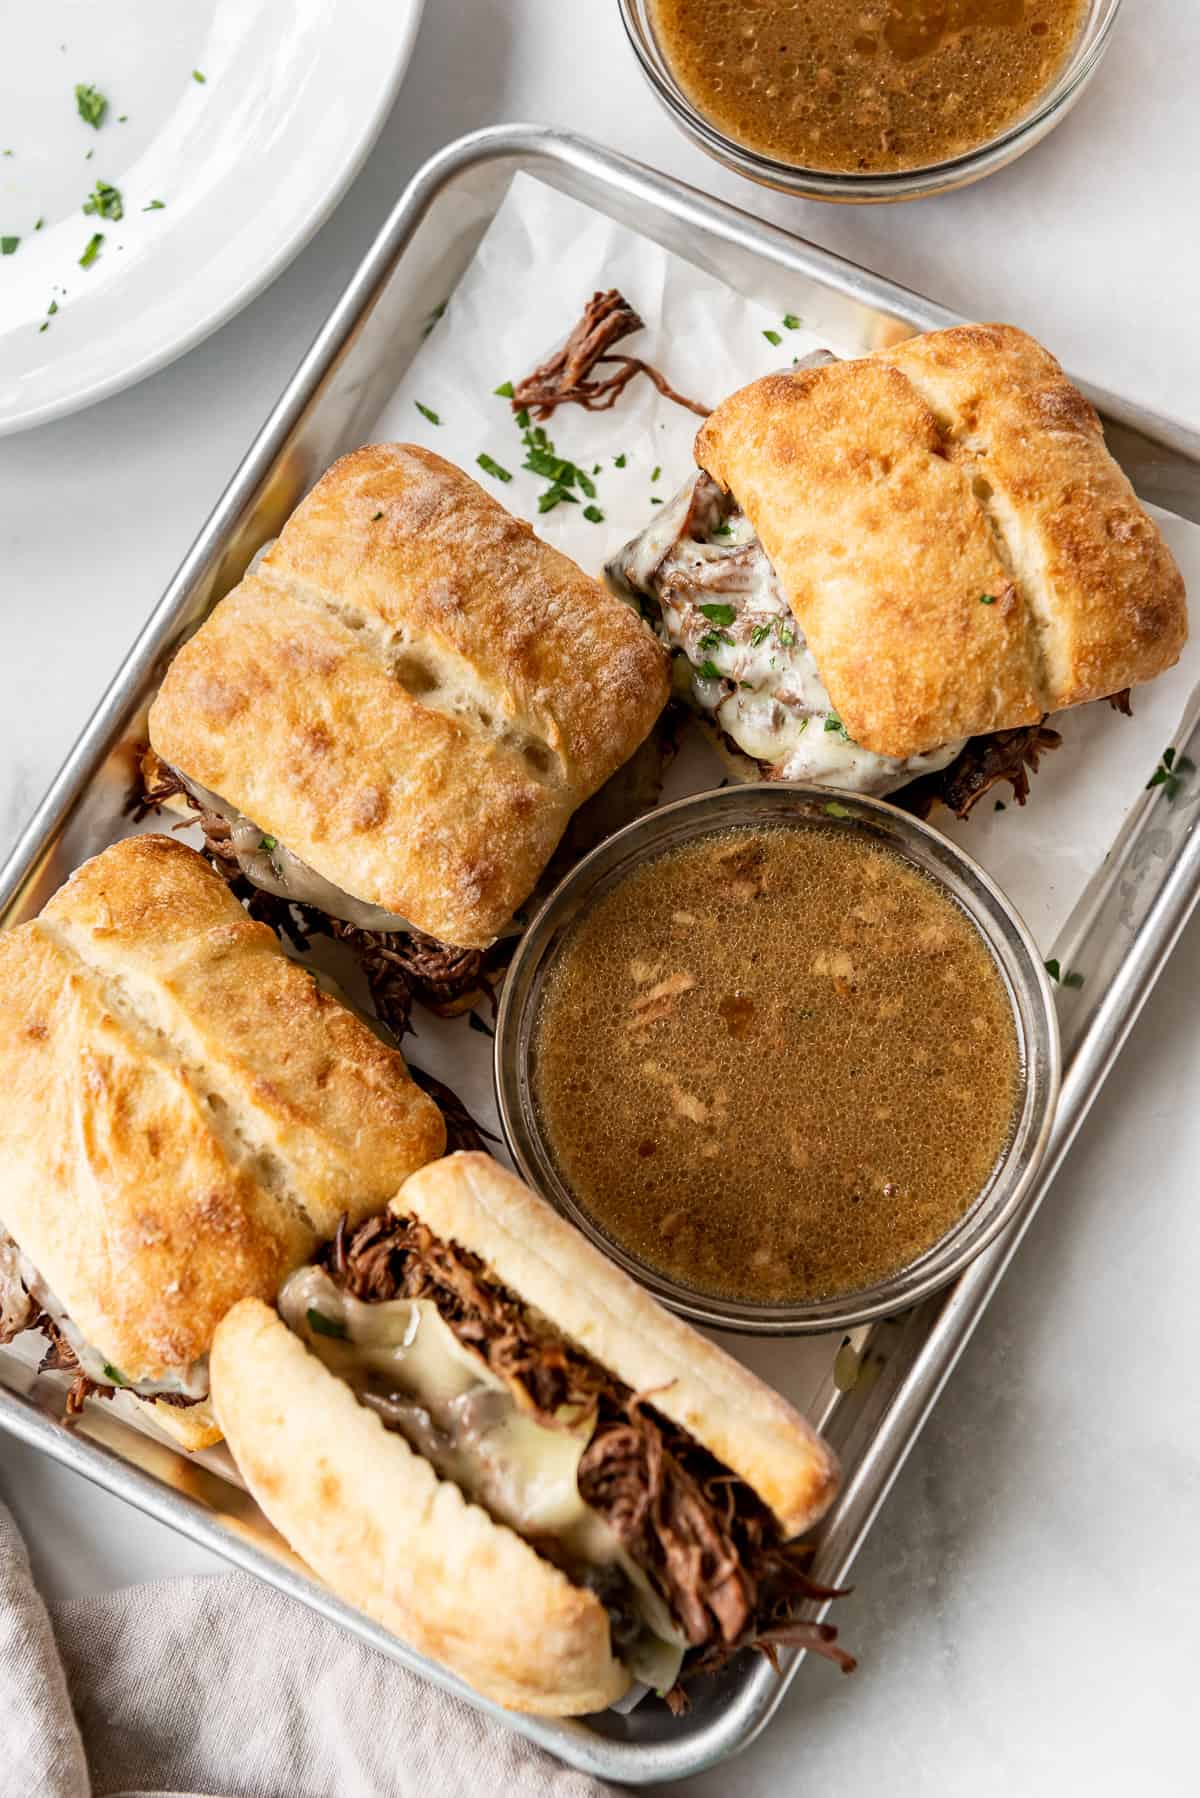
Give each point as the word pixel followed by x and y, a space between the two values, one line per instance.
pixel 184 1116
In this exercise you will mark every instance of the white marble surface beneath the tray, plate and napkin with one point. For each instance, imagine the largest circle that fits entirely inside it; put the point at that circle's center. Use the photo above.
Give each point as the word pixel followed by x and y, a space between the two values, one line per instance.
pixel 1026 1608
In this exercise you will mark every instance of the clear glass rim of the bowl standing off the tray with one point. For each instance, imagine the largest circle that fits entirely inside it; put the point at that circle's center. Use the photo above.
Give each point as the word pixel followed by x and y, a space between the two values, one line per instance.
pixel 900 184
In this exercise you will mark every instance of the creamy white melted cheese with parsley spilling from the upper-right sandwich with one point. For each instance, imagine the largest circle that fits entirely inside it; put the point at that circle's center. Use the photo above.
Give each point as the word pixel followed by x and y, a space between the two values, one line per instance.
pixel 742 655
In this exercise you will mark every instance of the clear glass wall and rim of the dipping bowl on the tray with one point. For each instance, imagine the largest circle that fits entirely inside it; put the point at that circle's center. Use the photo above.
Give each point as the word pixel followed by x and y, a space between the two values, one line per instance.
pixel 819 808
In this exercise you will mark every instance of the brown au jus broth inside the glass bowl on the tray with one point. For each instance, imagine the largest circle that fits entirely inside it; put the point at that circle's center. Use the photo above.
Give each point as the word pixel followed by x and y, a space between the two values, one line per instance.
pixel 776 1064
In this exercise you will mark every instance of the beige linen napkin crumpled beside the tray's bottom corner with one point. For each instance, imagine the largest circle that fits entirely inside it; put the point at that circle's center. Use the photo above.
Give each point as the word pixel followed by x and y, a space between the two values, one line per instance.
pixel 220 1686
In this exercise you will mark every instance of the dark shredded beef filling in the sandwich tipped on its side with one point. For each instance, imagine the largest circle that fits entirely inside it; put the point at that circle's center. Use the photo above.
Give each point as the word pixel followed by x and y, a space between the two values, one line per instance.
pixel 701 1535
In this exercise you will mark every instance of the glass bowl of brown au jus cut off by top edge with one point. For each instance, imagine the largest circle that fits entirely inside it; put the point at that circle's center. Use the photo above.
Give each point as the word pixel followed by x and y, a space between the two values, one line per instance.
pixel 879 100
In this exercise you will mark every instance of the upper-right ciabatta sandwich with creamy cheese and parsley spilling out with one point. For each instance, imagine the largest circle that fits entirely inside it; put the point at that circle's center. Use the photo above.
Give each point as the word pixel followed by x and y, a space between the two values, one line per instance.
pixel 895 569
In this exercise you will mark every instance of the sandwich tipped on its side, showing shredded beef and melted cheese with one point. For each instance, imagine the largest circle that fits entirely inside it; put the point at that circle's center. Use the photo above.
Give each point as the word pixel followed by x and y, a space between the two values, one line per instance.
pixel 481 1432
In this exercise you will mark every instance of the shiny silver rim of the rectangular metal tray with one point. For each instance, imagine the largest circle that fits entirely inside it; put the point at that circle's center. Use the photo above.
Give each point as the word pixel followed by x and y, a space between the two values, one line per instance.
pixel 1093 1051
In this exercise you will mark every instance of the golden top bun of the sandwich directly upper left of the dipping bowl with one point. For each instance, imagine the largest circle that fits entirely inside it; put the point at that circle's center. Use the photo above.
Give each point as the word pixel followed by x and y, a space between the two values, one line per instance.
pixel 413 693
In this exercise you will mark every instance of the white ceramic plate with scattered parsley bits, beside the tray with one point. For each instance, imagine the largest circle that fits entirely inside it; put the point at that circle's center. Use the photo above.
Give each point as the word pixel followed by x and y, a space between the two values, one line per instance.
pixel 247 165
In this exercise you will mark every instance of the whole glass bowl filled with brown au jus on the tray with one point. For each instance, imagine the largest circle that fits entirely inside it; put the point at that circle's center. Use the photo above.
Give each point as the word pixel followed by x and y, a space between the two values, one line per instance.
pixel 787 1056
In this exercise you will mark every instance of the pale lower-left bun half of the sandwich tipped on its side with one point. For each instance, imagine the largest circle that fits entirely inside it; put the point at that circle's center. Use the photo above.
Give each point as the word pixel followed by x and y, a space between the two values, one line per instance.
pixel 377 1524
